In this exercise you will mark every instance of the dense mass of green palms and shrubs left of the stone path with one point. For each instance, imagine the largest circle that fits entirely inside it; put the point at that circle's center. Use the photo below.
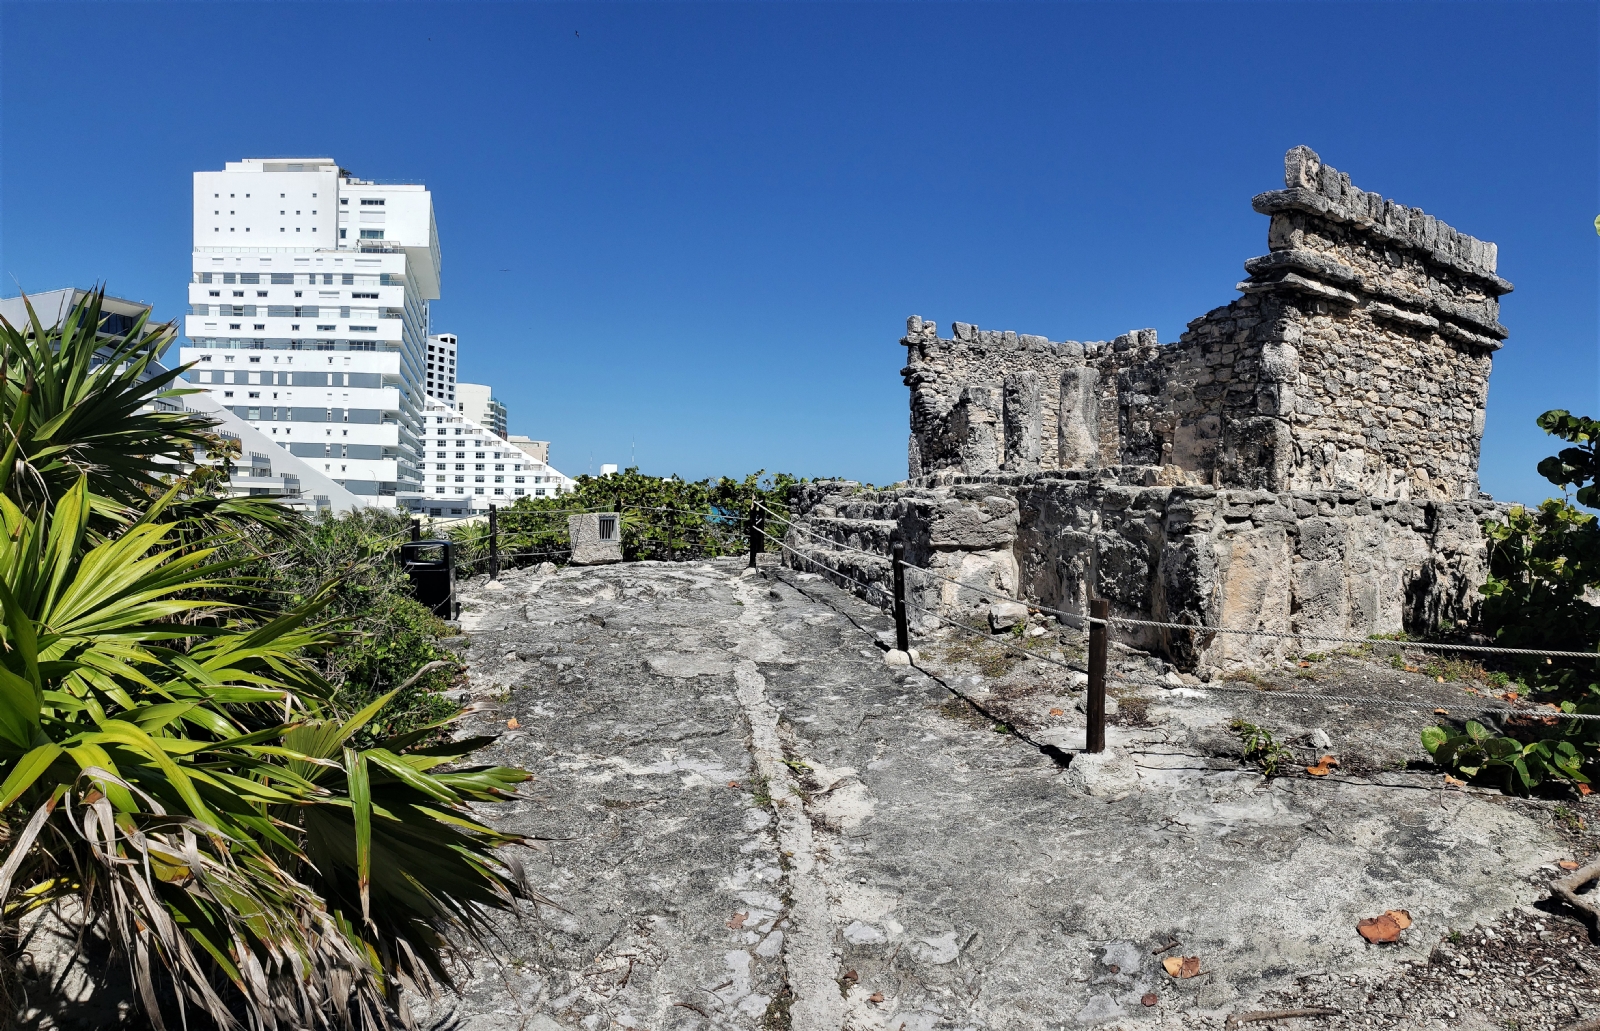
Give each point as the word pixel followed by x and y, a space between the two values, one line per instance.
pixel 178 745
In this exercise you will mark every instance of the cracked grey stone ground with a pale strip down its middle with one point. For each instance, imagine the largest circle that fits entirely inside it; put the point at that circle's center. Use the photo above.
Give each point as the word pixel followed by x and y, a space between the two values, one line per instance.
pixel 754 824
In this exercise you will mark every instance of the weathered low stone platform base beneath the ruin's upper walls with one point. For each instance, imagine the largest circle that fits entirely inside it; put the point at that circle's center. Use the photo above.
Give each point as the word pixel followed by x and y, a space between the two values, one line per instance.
pixel 1298 563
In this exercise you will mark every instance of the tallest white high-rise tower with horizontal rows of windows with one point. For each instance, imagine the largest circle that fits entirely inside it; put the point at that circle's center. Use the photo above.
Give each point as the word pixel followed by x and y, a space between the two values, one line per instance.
pixel 308 315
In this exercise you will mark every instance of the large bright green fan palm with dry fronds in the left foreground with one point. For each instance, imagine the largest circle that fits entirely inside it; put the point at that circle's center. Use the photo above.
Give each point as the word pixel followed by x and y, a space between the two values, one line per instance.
pixel 177 774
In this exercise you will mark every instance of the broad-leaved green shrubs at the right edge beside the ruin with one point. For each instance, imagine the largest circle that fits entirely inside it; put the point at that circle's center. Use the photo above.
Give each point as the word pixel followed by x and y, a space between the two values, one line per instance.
pixel 1545 576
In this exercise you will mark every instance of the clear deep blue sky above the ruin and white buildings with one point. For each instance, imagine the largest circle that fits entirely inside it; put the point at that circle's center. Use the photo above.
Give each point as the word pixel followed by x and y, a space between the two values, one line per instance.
pixel 694 233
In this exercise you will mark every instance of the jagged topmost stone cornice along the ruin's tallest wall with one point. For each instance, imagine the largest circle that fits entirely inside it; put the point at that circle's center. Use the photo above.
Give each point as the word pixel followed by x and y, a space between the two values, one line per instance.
pixel 1327 193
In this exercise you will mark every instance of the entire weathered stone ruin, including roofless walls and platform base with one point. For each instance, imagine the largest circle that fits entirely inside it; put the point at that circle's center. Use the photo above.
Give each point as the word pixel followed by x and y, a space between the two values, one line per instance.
pixel 1302 460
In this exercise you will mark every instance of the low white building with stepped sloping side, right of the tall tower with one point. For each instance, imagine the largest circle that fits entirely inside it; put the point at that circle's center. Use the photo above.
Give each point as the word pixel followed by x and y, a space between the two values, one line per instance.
pixel 468 468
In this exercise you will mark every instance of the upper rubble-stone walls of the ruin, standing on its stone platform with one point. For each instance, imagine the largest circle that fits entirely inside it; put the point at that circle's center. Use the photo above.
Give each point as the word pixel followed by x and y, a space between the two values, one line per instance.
pixel 1358 358
